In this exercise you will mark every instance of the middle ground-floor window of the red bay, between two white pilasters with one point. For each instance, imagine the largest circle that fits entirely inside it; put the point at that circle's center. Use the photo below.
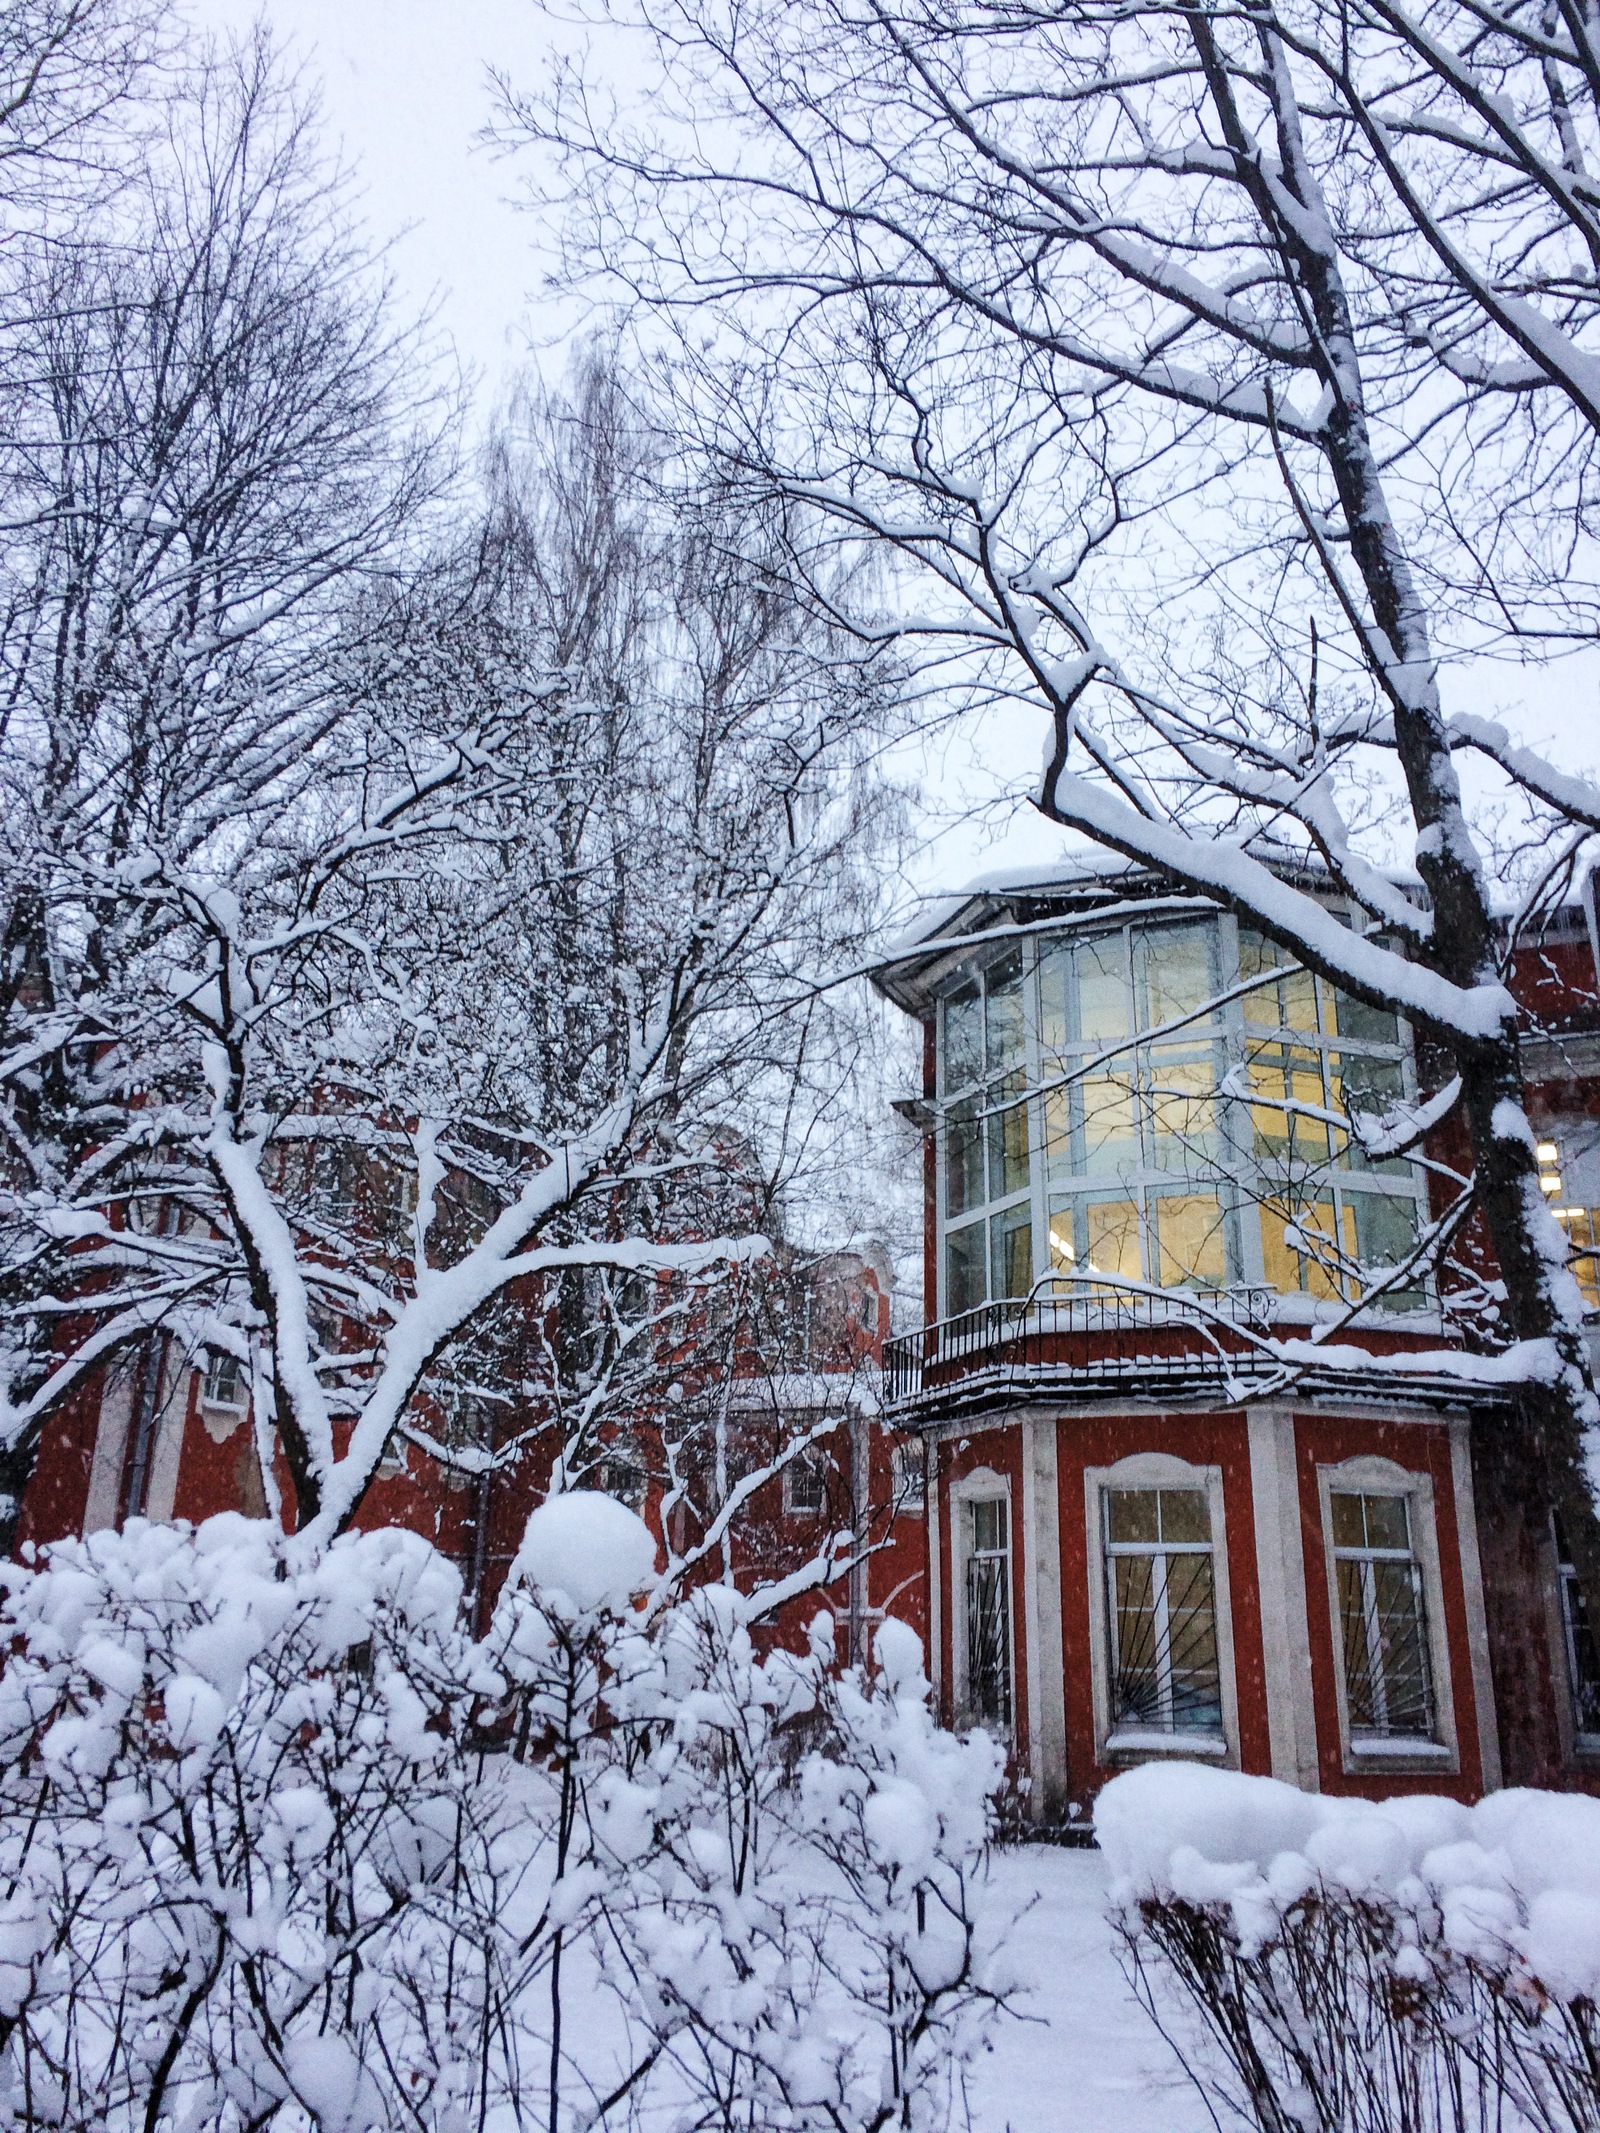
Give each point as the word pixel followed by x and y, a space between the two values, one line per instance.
pixel 1162 1611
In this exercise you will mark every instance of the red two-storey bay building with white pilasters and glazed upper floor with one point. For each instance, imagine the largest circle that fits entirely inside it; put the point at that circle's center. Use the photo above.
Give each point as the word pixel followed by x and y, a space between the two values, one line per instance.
pixel 1147 1539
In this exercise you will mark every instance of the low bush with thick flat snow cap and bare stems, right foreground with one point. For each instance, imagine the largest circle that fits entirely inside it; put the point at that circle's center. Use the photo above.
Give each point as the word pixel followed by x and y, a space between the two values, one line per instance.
pixel 1337 1966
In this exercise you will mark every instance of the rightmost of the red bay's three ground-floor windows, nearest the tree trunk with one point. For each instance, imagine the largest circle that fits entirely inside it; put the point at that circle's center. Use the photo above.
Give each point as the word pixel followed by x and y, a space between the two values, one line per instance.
pixel 1383 1620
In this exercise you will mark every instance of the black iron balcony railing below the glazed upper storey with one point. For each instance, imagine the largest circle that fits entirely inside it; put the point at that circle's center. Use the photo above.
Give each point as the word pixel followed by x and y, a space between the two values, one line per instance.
pixel 1006 1334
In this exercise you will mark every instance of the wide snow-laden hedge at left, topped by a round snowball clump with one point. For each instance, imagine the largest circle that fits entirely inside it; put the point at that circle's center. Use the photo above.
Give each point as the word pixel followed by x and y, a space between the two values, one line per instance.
pixel 259 1865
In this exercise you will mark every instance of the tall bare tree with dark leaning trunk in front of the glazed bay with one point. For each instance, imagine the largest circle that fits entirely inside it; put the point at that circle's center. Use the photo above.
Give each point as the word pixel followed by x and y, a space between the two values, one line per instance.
pixel 1221 381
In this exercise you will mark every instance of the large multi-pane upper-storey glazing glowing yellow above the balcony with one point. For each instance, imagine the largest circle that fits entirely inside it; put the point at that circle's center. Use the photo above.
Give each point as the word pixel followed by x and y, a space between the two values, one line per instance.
pixel 1110 1125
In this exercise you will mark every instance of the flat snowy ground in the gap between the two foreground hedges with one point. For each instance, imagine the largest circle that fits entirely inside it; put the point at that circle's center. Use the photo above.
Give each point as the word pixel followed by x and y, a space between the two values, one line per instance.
pixel 1089 2062
